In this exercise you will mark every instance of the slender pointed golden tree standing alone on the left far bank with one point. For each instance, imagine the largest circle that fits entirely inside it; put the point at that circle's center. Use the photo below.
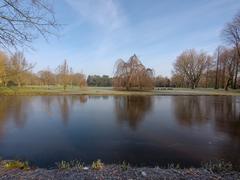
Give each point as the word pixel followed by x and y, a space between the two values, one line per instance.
pixel 63 74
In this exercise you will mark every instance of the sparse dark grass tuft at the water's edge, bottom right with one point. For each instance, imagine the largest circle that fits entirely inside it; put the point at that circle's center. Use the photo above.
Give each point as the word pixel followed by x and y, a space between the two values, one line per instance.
pixel 218 166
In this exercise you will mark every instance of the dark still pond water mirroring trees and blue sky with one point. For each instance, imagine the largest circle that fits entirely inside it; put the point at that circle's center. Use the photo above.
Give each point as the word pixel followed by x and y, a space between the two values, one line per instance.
pixel 156 130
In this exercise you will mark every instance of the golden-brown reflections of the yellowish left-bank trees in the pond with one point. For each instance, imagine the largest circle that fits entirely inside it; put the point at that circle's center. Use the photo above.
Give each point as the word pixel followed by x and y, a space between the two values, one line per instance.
pixel 17 108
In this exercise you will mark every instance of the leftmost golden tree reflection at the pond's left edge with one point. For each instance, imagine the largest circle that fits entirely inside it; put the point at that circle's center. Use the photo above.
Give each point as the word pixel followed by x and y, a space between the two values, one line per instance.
pixel 13 108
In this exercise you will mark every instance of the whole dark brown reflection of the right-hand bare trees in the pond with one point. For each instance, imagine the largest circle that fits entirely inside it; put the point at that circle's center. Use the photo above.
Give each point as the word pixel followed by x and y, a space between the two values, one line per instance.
pixel 224 111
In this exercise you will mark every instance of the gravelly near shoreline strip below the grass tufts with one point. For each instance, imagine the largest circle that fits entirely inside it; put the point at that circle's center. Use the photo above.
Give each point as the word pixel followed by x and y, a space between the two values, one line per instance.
pixel 115 171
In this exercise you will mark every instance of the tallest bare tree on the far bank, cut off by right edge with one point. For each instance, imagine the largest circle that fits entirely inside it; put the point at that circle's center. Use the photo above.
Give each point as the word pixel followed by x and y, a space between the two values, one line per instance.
pixel 231 34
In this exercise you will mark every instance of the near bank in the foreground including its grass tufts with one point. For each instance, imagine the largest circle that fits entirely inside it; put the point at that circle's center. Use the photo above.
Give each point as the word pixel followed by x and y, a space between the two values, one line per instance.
pixel 98 170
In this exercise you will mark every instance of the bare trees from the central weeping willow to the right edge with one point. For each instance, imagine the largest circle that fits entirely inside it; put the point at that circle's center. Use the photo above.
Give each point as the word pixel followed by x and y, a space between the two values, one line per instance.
pixel 191 68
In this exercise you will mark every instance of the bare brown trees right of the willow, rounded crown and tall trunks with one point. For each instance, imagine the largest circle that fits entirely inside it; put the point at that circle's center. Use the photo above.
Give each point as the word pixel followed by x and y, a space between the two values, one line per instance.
pixel 220 70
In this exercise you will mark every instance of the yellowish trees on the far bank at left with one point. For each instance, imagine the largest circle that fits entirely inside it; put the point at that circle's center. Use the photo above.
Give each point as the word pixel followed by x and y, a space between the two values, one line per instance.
pixel 15 70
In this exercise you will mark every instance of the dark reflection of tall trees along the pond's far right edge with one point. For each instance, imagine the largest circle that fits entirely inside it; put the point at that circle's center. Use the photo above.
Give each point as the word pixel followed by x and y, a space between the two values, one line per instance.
pixel 227 114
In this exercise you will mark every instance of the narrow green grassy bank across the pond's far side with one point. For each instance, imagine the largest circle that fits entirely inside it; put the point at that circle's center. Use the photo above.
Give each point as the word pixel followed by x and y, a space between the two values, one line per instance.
pixel 57 90
